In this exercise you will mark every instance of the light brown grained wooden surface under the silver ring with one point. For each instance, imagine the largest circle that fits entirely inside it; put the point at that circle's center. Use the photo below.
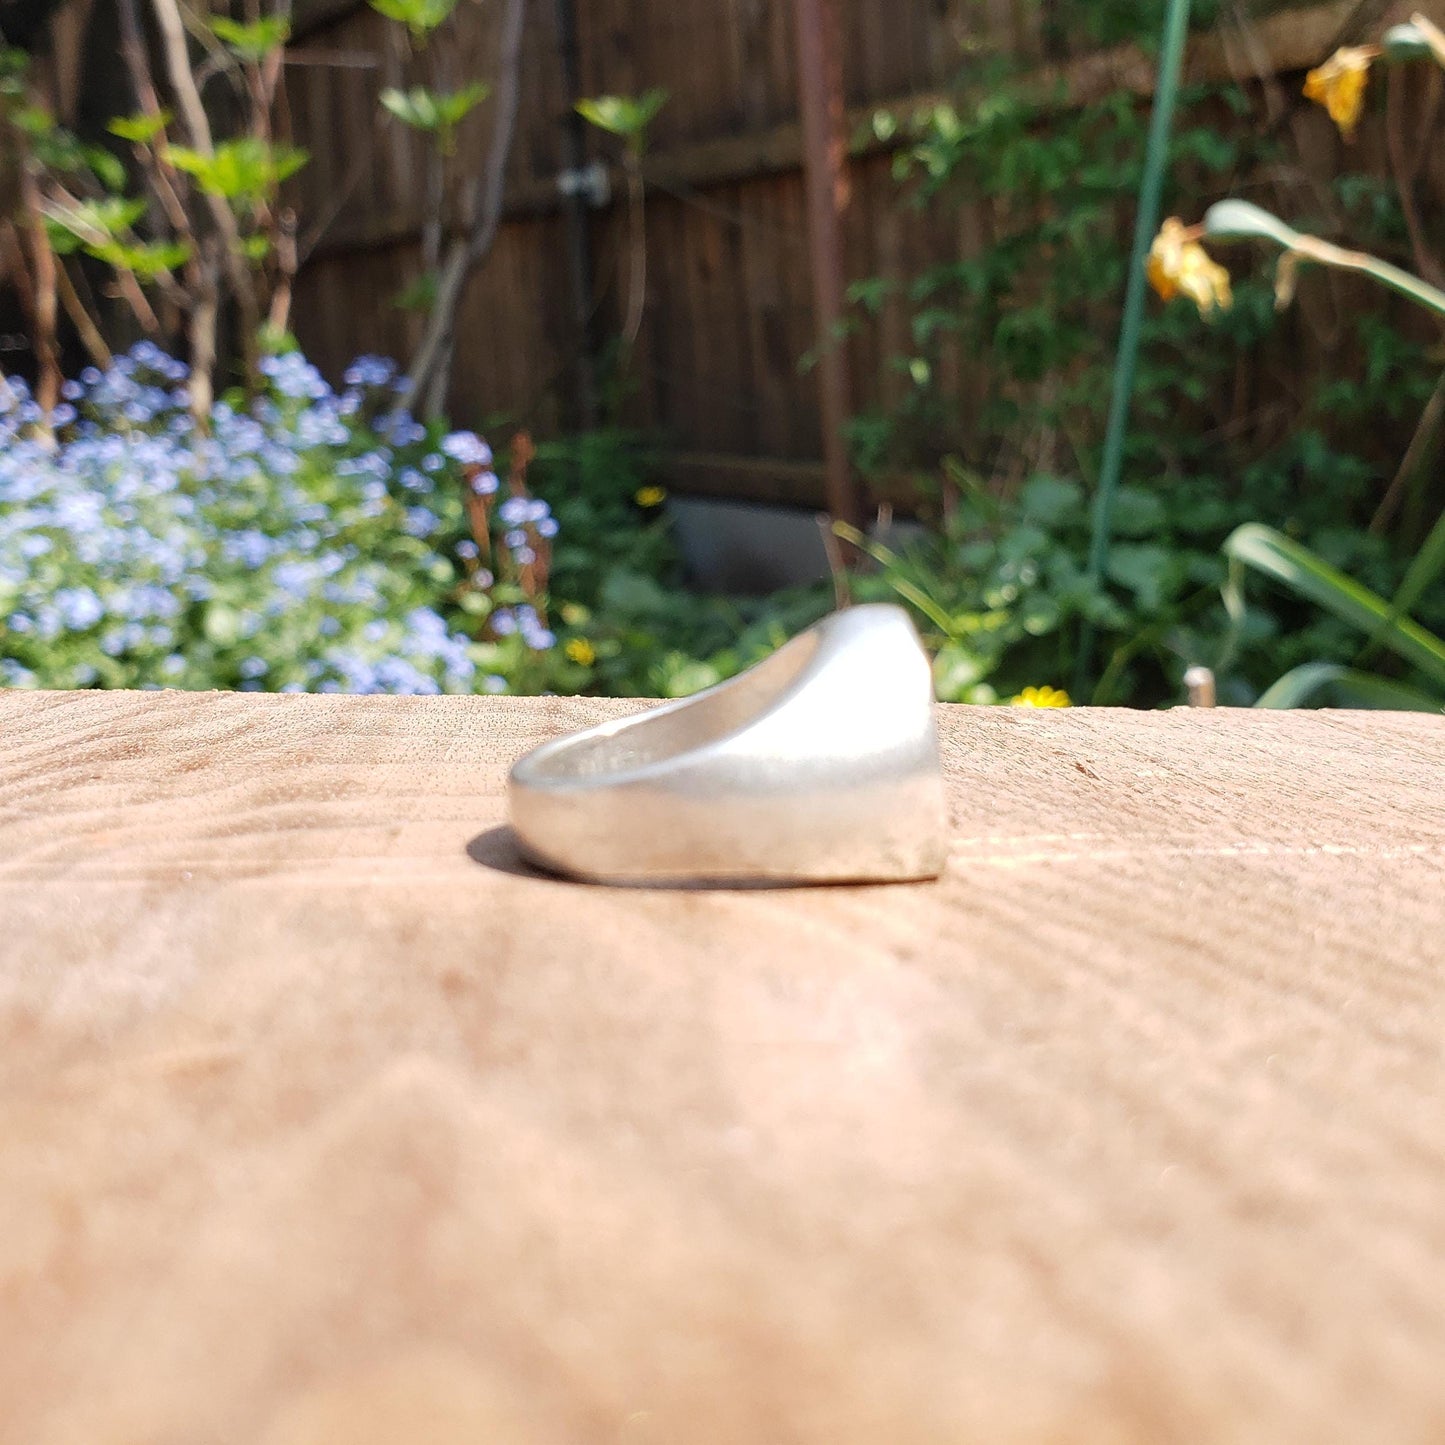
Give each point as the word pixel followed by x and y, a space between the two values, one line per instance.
pixel 323 1122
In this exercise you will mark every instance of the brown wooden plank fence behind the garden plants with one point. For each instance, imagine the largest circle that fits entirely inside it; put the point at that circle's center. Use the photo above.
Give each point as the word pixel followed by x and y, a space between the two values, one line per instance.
pixel 729 294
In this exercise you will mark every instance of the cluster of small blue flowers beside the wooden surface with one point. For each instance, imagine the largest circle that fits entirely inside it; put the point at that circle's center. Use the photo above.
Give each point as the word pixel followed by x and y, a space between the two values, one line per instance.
pixel 310 541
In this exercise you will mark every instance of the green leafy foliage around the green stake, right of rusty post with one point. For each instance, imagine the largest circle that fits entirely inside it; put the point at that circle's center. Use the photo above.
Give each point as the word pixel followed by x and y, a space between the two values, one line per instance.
pixel 1050 189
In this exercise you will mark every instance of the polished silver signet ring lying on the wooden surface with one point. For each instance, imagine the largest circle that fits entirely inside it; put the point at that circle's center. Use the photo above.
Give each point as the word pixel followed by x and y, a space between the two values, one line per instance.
pixel 820 765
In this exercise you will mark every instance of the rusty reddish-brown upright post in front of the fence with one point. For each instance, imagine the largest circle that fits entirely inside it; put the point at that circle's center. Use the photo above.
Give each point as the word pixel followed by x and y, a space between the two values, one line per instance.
pixel 826 154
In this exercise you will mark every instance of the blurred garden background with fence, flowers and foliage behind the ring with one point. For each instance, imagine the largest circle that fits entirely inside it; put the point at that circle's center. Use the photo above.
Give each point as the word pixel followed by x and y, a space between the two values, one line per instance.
pixel 599 346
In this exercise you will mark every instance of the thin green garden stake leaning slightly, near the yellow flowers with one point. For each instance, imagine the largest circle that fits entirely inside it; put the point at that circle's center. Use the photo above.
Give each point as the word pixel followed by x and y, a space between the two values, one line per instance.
pixel 1147 225
